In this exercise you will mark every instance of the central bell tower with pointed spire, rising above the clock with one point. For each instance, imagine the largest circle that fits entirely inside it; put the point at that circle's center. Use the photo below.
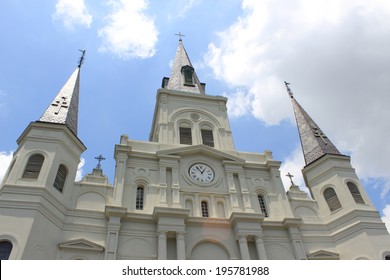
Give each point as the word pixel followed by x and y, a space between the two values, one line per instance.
pixel 184 114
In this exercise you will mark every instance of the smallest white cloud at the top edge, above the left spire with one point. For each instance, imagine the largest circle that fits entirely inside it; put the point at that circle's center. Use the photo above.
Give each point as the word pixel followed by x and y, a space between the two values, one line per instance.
pixel 72 13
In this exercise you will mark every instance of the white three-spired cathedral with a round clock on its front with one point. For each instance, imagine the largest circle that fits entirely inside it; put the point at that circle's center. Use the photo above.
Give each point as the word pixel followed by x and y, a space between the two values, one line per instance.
pixel 187 193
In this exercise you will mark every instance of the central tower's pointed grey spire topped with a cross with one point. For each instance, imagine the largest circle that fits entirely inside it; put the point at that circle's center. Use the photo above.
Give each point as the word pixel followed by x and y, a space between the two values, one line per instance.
pixel 183 75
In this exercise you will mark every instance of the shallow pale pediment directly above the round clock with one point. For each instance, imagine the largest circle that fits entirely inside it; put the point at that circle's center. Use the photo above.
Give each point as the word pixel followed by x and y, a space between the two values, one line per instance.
pixel 201 149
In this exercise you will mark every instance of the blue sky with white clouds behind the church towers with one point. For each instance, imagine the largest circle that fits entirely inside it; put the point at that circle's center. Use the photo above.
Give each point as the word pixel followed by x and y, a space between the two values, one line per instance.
pixel 334 54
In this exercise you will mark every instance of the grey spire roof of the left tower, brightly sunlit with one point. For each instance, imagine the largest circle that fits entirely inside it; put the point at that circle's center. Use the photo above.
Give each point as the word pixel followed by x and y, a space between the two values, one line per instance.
pixel 64 108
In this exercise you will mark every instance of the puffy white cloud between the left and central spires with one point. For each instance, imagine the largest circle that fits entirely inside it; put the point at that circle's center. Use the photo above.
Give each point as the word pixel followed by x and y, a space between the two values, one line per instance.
pixel 129 32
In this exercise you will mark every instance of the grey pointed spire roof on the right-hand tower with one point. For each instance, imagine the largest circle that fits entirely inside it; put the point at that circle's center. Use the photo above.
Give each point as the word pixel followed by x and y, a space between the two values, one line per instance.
pixel 315 143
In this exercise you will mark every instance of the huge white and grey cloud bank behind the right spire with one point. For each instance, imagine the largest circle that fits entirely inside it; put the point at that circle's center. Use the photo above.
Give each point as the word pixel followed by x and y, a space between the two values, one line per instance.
pixel 334 54
